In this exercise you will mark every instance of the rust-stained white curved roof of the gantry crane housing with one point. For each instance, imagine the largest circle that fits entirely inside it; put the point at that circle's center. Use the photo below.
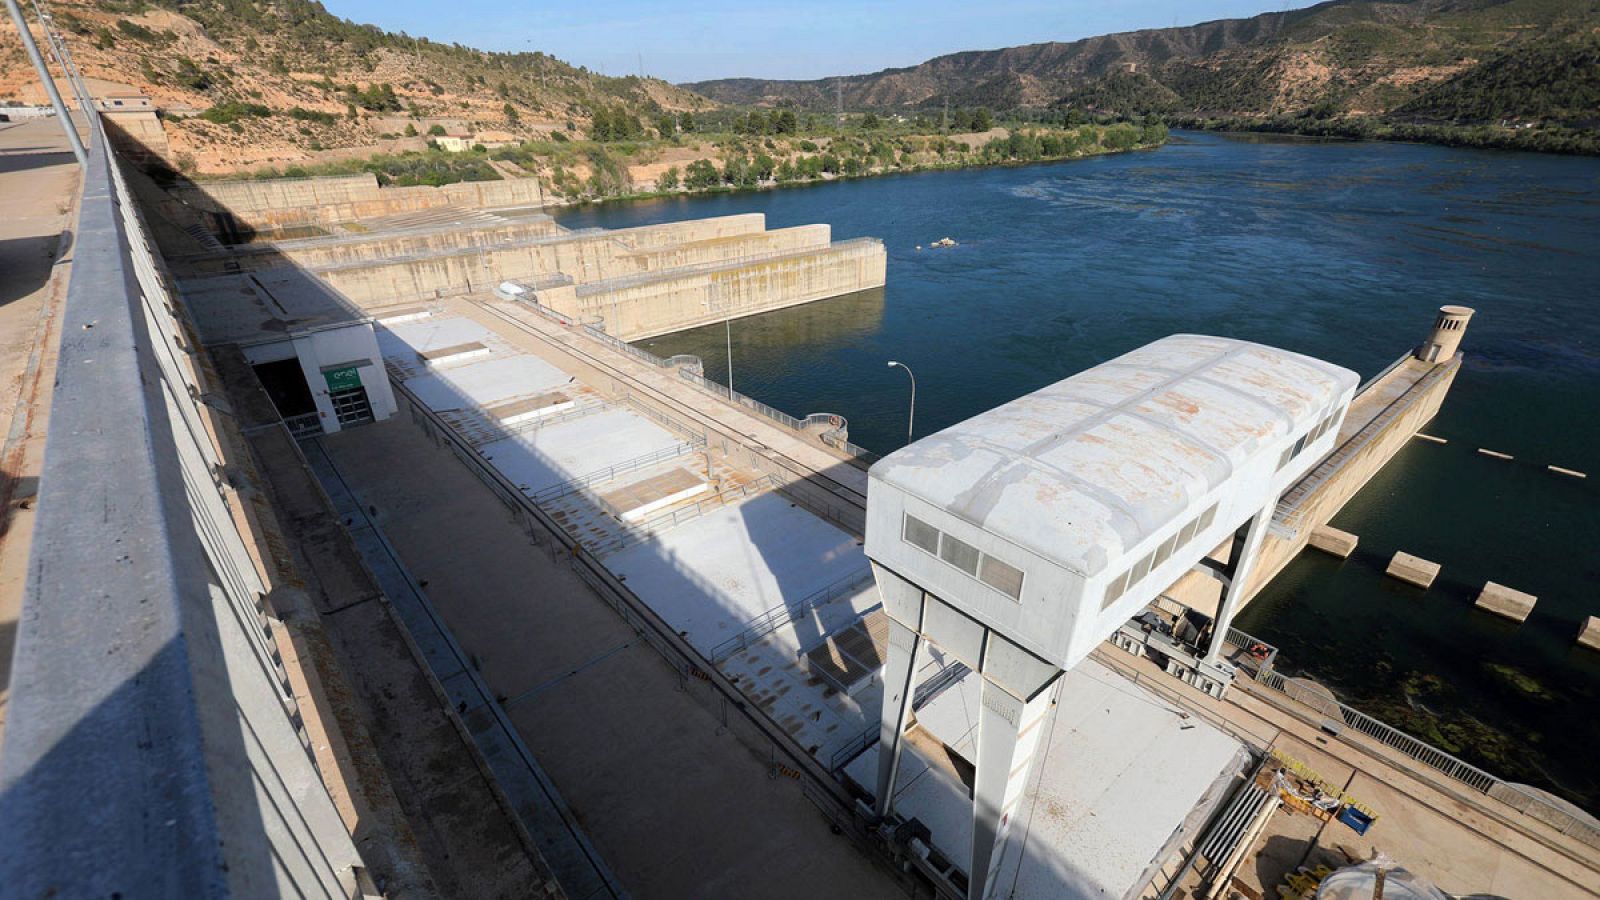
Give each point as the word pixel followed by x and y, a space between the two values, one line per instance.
pixel 1087 468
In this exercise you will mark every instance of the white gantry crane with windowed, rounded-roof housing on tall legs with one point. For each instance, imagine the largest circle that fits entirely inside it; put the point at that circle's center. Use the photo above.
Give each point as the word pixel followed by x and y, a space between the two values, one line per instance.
pixel 1022 539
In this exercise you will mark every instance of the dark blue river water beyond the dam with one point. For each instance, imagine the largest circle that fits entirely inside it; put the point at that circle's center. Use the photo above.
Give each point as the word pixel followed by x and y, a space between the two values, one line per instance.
pixel 1330 249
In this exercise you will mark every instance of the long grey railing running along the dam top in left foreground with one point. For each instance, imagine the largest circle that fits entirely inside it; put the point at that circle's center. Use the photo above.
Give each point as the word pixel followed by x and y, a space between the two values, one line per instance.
pixel 153 744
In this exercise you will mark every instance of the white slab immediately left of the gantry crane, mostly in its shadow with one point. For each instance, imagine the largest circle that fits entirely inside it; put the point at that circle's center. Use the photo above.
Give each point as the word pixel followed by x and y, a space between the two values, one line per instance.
pixel 714 574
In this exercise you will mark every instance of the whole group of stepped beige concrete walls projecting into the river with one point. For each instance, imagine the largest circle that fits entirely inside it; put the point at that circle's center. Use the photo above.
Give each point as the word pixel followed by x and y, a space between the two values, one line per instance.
pixel 386 246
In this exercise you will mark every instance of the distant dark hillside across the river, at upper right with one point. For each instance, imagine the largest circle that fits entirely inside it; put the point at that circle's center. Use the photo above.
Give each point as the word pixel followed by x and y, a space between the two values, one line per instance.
pixel 1452 62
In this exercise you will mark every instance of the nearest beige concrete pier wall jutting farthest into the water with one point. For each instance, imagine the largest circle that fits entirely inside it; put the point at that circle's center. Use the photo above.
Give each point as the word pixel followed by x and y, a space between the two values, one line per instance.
pixel 671 302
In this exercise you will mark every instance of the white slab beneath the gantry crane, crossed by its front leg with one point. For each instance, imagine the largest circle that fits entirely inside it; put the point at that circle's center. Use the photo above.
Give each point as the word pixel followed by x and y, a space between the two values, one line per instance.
pixel 1114 781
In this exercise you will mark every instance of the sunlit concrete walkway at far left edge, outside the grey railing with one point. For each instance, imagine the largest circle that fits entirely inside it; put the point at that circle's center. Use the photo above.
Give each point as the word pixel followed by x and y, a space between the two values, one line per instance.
pixel 39 185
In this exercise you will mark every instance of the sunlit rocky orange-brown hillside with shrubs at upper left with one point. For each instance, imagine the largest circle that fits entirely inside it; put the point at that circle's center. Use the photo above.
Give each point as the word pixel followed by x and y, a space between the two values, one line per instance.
pixel 257 82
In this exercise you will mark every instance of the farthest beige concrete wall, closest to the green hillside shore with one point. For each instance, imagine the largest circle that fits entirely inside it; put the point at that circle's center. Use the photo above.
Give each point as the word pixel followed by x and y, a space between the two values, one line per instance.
pixel 289 203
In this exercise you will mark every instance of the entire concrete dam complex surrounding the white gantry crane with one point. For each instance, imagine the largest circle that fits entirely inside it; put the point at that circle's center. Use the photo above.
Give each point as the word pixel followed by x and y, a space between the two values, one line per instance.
pixel 559 616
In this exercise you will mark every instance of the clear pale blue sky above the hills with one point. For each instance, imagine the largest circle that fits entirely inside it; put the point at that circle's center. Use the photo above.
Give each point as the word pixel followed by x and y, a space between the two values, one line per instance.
pixel 786 39
